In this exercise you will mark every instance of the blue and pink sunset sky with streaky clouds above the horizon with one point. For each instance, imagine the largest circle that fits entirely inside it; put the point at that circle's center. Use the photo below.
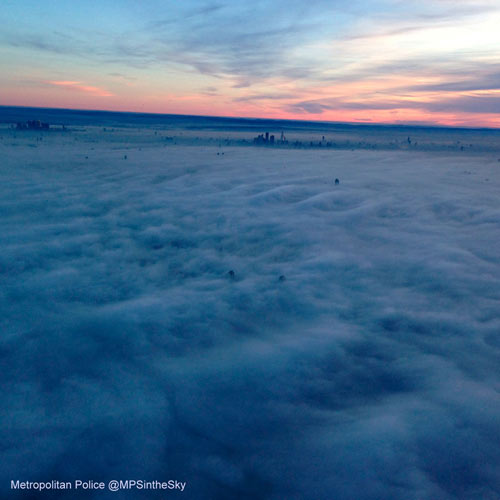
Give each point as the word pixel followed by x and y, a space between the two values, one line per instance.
pixel 364 61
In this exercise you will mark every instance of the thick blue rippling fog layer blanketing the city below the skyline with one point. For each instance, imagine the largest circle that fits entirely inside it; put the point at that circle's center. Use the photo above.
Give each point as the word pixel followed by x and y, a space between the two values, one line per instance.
pixel 353 353
